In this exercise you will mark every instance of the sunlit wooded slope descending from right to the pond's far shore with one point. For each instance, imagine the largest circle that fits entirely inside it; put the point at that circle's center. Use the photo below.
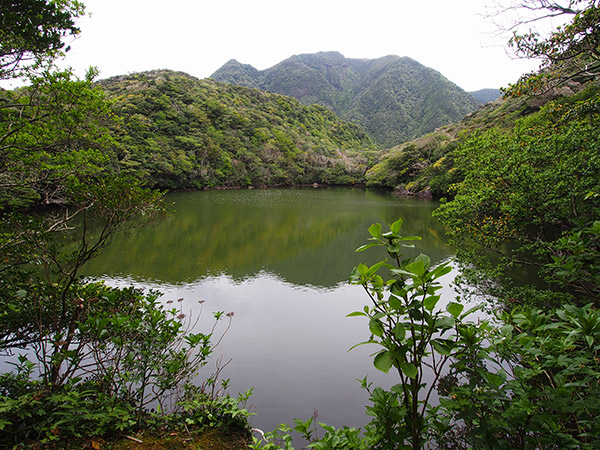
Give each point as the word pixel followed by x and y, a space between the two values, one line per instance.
pixel 426 166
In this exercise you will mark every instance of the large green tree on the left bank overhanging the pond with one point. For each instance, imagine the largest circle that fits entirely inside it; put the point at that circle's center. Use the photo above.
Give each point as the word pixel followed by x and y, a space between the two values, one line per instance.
pixel 61 200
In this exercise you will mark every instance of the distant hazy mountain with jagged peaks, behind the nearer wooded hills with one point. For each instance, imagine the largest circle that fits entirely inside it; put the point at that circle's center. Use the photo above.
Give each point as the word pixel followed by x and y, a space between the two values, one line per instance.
pixel 393 98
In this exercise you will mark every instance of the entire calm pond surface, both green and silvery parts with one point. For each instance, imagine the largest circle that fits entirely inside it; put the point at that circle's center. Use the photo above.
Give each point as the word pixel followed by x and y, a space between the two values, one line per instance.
pixel 279 259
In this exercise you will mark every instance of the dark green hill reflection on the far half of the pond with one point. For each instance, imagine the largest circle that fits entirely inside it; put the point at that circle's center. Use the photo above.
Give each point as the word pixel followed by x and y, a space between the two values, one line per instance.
pixel 306 236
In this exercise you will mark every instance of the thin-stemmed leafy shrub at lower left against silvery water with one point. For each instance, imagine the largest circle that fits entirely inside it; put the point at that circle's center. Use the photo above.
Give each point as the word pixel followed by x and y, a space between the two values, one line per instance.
pixel 142 352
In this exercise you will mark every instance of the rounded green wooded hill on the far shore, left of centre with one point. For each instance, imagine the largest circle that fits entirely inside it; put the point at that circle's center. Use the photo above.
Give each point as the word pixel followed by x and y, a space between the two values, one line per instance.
pixel 177 131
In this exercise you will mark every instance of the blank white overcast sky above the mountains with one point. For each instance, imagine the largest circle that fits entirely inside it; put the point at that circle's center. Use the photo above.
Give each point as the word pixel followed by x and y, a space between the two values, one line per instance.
pixel 199 36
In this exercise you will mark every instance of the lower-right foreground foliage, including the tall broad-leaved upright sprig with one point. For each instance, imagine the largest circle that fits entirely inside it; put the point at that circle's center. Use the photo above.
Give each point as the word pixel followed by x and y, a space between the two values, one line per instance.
pixel 528 380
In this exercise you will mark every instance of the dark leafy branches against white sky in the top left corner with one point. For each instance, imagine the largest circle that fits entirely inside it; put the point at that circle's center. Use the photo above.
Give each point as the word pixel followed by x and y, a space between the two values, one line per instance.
pixel 32 33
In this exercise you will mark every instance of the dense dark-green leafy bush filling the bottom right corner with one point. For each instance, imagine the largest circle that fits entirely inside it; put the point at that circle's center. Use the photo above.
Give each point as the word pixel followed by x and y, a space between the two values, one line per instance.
pixel 538 387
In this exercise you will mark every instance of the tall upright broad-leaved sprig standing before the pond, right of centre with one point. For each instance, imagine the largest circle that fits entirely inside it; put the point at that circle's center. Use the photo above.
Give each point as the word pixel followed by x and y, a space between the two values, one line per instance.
pixel 415 336
